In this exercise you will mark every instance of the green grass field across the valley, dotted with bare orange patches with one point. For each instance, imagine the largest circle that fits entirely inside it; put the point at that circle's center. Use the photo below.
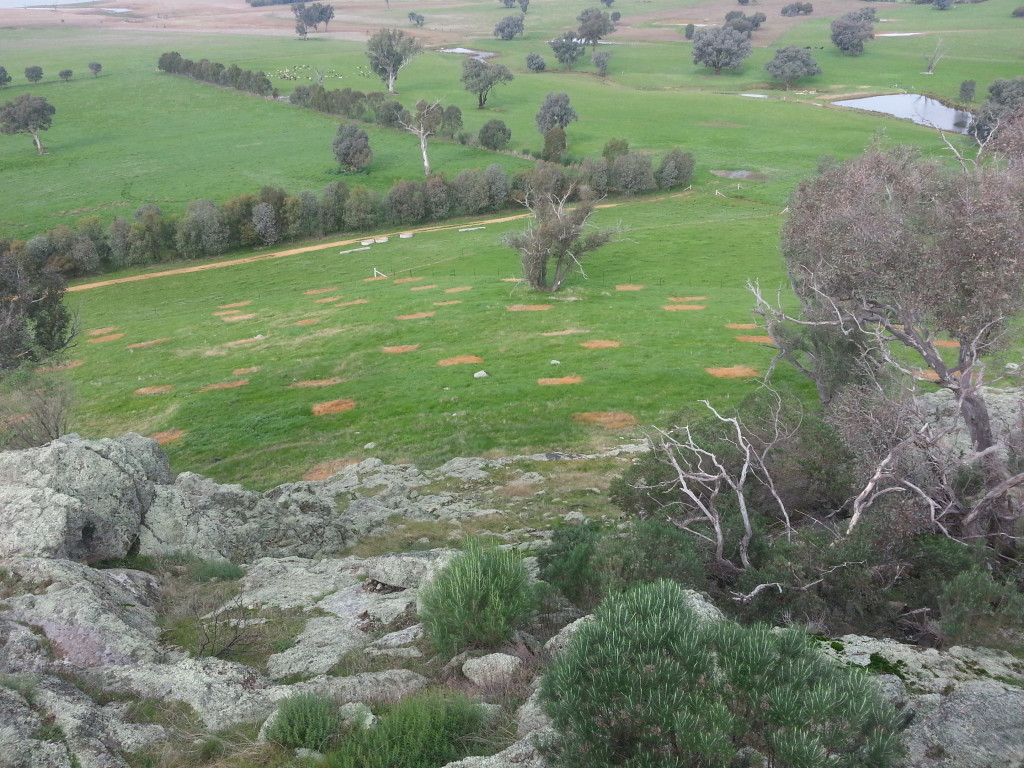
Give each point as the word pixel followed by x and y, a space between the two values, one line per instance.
pixel 138 137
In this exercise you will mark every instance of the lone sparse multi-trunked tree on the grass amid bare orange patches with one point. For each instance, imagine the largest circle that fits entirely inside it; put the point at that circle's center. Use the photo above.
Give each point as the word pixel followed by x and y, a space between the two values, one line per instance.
pixel 558 241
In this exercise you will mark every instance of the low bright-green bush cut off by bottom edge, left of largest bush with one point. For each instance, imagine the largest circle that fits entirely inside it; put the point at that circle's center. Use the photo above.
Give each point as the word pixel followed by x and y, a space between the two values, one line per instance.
pixel 423 732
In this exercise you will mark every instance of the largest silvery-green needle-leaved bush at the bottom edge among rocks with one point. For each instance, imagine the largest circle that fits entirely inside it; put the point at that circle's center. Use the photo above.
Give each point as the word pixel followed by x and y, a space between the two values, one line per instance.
pixel 649 685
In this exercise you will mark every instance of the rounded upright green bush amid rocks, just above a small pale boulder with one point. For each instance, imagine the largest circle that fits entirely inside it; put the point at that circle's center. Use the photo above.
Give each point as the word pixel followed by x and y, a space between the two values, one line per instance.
pixel 478 601
